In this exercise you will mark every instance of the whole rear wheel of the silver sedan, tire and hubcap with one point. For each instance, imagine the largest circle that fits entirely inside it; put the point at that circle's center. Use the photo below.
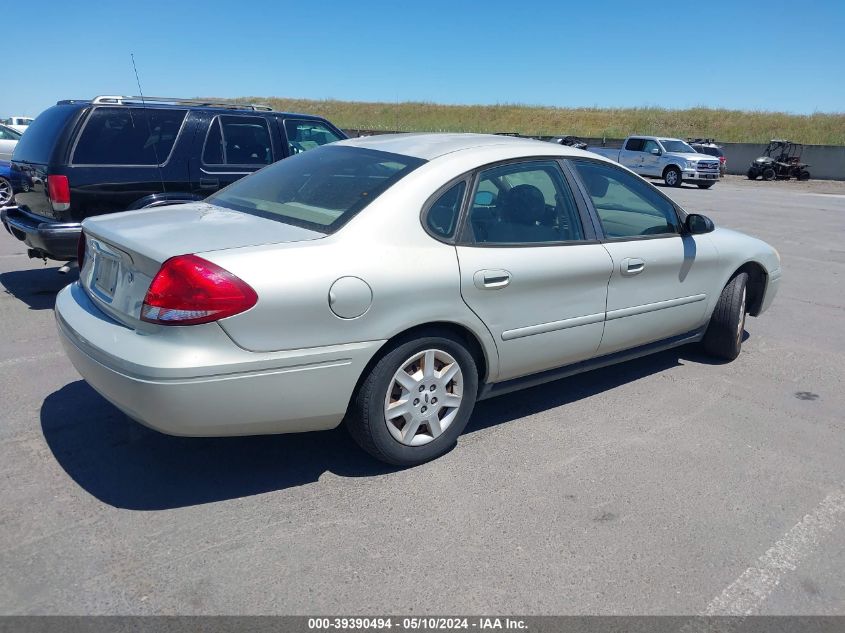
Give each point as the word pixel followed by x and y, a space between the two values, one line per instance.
pixel 415 402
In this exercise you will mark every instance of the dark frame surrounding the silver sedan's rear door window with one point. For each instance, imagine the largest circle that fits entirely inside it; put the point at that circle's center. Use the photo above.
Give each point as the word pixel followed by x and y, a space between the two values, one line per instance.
pixel 463 233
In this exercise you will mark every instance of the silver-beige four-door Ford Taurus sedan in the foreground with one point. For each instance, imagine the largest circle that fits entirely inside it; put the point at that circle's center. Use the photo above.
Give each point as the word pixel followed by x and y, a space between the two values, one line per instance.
pixel 391 282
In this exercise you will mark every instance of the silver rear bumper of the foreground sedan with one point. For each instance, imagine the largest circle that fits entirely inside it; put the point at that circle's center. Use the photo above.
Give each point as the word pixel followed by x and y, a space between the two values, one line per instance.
pixel 195 381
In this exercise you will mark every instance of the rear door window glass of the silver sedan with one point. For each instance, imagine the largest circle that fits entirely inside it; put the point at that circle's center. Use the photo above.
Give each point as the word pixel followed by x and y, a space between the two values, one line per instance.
pixel 527 202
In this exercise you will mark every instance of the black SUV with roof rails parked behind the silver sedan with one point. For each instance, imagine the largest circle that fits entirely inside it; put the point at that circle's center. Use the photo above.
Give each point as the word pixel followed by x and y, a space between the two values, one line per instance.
pixel 86 158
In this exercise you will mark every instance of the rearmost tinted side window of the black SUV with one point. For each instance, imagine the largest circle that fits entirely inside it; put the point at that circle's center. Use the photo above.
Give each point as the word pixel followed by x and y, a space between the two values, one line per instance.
pixel 128 136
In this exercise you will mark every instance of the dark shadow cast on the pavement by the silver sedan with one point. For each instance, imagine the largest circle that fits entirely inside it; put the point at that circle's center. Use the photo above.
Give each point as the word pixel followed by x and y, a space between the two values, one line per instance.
pixel 127 465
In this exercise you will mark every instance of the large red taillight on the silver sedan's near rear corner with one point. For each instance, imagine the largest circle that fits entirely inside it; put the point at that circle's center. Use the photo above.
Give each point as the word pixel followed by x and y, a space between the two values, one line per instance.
pixel 189 290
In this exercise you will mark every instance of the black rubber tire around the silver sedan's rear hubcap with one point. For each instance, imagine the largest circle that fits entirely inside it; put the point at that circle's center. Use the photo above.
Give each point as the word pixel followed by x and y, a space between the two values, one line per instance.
pixel 366 420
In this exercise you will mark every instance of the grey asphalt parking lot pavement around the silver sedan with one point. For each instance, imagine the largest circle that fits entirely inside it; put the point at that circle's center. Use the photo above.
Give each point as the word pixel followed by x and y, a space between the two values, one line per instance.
pixel 666 485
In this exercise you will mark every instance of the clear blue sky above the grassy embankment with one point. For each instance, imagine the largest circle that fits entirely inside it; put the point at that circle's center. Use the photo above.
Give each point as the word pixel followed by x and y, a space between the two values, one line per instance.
pixel 546 52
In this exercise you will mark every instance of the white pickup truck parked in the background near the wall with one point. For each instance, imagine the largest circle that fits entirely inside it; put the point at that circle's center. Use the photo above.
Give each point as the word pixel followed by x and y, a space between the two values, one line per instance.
pixel 668 158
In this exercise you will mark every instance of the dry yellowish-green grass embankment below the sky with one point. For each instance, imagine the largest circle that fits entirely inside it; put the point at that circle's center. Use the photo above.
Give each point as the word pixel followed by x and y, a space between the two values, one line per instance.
pixel 724 125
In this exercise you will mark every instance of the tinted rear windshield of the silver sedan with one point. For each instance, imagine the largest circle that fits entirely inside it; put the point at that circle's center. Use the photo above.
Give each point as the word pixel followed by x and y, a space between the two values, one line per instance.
pixel 319 190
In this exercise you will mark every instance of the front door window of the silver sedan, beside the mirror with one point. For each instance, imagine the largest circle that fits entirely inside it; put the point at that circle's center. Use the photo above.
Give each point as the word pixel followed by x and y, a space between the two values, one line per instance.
pixel 627 206
